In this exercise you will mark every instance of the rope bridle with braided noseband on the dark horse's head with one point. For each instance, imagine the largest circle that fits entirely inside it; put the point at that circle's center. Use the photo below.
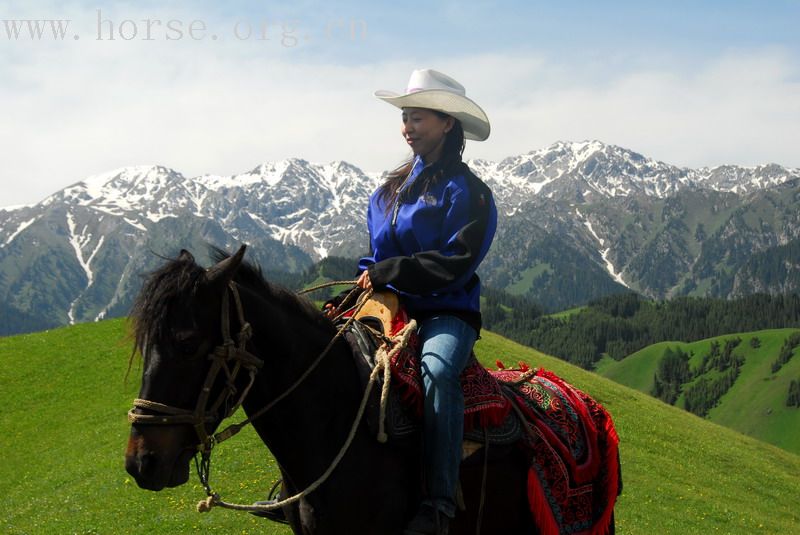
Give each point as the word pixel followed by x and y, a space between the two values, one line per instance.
pixel 230 357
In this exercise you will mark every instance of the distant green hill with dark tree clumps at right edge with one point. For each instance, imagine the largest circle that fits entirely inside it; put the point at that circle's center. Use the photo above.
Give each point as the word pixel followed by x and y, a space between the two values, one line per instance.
pixel 748 381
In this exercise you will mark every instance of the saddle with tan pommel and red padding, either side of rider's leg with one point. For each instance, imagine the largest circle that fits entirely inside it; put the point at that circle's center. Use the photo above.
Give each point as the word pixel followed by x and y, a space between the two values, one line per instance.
pixel 487 411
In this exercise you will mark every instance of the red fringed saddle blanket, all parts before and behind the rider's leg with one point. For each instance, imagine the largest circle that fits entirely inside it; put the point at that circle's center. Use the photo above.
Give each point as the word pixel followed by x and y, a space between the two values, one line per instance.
pixel 574 475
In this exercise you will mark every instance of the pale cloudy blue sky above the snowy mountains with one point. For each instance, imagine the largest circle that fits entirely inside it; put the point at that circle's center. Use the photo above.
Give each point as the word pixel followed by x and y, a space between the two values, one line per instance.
pixel 203 87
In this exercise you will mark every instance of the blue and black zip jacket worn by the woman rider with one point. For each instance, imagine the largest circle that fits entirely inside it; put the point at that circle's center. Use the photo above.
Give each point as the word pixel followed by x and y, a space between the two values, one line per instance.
pixel 428 245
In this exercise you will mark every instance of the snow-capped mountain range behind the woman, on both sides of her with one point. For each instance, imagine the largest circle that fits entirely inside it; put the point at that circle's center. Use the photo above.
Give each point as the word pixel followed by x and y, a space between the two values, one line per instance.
pixel 578 219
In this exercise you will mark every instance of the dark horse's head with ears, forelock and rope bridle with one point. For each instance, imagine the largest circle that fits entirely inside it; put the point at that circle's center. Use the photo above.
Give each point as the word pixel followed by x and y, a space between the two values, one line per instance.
pixel 181 322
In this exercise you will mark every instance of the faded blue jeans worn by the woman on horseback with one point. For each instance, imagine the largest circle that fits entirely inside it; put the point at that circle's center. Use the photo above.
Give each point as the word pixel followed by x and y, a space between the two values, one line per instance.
pixel 446 346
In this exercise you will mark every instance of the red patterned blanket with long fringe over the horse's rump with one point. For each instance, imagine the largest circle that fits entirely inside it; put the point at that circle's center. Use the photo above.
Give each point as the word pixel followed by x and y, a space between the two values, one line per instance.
pixel 574 477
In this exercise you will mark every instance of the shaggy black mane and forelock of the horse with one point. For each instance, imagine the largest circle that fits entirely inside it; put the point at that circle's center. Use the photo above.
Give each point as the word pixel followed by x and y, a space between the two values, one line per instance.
pixel 179 278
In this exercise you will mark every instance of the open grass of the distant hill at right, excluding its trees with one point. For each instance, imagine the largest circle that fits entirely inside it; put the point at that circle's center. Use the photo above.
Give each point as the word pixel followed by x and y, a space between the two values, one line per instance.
pixel 755 405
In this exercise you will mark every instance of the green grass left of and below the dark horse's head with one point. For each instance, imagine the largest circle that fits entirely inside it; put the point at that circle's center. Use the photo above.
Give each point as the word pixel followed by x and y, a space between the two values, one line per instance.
pixel 63 431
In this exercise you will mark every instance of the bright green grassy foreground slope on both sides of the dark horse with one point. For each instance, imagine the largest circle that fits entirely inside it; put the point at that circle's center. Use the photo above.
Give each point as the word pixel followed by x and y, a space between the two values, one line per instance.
pixel 63 400
